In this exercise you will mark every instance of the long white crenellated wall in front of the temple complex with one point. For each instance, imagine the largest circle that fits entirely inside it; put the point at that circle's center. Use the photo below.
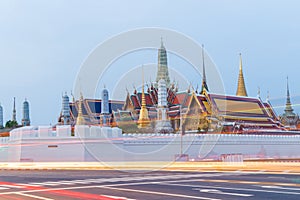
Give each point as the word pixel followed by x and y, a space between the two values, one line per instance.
pixel 92 143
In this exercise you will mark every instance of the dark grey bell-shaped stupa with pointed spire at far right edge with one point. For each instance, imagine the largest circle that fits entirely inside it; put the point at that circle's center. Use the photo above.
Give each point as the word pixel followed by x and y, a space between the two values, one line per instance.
pixel 289 119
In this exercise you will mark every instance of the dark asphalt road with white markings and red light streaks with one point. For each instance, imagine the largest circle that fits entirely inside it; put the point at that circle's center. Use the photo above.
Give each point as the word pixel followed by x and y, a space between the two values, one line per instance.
pixel 108 185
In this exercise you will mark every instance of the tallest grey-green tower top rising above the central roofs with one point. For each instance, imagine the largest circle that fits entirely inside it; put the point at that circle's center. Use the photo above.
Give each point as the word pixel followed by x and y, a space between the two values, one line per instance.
pixel 162 66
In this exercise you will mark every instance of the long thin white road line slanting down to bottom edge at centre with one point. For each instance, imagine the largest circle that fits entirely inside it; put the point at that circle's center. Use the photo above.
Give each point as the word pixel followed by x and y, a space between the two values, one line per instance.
pixel 158 193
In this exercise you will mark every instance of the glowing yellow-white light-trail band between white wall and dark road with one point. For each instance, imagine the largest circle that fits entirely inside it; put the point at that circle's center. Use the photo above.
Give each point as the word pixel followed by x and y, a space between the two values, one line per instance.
pixel 257 167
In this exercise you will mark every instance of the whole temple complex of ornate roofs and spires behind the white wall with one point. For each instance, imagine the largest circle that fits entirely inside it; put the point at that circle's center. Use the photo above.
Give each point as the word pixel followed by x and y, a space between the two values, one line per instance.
pixel 162 108
